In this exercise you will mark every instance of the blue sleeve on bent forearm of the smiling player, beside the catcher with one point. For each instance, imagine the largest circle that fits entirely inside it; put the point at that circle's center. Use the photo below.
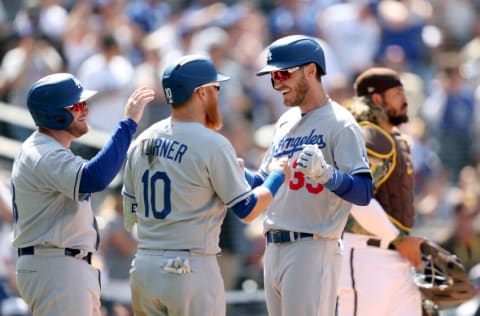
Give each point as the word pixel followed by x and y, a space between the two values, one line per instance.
pixel 357 189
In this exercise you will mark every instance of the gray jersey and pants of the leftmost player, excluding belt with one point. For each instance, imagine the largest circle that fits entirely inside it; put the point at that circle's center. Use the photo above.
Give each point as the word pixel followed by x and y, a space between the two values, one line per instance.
pixel 50 214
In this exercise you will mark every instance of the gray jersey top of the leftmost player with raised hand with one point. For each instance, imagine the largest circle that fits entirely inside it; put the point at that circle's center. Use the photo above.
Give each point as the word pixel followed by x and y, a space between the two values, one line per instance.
pixel 48 208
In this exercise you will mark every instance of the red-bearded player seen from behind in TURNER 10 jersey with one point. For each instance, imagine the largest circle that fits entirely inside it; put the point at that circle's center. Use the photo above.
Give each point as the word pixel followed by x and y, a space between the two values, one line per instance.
pixel 179 178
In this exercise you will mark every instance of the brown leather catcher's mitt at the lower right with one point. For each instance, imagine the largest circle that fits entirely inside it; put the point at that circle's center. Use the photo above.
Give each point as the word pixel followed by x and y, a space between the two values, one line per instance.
pixel 443 280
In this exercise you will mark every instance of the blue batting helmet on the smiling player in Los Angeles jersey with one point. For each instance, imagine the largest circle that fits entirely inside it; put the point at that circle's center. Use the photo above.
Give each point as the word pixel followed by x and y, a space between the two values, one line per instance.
pixel 294 50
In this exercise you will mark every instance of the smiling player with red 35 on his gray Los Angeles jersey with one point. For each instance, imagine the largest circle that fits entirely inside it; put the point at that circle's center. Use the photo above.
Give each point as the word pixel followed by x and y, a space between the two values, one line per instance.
pixel 304 223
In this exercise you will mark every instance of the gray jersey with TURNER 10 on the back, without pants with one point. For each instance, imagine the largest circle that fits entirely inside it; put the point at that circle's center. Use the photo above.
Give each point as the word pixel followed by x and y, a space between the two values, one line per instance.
pixel 181 176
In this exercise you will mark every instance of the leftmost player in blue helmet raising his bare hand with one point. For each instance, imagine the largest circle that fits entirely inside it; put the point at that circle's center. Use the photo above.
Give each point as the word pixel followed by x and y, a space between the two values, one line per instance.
pixel 55 229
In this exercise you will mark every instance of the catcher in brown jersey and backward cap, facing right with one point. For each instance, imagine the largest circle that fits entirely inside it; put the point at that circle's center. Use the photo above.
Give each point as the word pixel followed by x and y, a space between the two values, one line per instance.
pixel 377 276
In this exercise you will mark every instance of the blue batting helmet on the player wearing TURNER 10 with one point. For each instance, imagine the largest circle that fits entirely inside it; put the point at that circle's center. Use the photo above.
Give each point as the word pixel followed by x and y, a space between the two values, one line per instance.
pixel 187 73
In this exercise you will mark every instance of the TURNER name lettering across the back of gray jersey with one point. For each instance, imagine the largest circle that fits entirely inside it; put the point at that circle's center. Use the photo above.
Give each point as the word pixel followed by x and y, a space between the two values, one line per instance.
pixel 162 147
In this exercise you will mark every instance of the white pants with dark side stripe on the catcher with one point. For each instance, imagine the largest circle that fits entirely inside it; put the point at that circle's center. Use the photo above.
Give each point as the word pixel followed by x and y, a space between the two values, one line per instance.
pixel 376 281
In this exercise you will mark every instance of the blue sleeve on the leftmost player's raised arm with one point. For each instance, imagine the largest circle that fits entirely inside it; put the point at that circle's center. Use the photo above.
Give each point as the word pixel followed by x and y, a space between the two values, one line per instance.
pixel 101 169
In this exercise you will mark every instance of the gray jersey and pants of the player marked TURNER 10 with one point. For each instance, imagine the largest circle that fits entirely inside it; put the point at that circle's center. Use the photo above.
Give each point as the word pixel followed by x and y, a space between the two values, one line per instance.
pixel 181 176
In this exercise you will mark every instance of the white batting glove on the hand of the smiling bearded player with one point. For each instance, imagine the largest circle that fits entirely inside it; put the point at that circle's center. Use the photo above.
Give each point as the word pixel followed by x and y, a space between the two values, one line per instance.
pixel 313 165
